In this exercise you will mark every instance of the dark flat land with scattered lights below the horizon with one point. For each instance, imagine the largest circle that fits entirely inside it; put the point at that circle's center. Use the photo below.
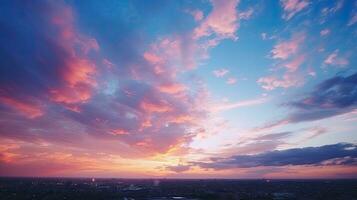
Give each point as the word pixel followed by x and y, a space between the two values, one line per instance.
pixel 123 189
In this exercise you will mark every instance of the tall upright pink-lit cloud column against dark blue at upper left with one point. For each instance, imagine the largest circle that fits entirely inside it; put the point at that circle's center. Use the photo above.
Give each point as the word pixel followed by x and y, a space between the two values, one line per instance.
pixel 78 70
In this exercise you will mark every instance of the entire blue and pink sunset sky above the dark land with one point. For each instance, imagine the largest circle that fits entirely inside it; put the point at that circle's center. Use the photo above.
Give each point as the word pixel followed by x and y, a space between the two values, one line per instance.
pixel 178 89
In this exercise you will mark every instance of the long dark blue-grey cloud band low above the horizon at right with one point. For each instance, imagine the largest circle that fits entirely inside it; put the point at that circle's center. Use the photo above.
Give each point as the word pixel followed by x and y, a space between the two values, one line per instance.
pixel 289 157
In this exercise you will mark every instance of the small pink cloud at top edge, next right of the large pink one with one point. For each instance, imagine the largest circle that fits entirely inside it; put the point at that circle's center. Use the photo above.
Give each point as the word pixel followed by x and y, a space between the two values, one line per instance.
pixel 292 7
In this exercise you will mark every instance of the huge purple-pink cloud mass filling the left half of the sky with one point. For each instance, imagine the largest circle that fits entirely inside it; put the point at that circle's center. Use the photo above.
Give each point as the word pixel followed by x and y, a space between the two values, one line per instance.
pixel 54 75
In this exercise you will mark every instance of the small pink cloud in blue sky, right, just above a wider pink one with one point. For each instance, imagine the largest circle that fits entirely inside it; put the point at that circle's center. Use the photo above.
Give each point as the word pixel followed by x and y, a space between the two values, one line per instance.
pixel 285 49
